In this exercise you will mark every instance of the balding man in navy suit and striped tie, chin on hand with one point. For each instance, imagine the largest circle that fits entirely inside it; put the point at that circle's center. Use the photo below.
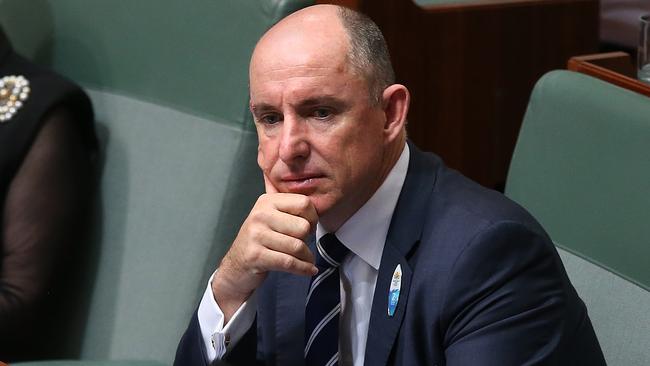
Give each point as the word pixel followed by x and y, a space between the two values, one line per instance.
pixel 439 269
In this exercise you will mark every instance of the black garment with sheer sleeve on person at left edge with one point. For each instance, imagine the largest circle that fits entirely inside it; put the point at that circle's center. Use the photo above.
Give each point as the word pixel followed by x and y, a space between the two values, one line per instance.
pixel 46 177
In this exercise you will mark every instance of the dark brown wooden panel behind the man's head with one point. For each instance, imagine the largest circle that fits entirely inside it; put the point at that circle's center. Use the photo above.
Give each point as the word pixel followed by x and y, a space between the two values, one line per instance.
pixel 471 70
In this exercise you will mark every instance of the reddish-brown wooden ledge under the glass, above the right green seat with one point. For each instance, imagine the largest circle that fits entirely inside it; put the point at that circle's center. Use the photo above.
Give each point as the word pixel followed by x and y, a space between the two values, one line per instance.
pixel 614 67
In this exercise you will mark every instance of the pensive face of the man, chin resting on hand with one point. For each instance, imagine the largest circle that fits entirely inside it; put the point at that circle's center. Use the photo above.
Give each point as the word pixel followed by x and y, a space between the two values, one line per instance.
pixel 319 133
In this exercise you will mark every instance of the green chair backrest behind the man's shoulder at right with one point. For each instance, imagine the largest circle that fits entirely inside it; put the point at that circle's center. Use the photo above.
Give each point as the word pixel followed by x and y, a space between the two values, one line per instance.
pixel 581 166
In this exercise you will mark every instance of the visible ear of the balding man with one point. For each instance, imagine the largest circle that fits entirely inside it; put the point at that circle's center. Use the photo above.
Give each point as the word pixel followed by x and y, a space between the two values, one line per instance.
pixel 395 103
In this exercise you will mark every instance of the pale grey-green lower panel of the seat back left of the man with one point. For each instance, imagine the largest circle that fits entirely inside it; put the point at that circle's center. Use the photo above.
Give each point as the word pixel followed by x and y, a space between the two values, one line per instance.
pixel 174 187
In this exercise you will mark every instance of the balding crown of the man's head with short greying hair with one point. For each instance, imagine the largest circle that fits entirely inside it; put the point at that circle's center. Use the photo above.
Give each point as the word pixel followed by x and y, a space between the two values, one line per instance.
pixel 330 32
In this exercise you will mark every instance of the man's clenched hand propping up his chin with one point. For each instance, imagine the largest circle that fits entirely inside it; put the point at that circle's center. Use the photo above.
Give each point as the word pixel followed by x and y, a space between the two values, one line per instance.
pixel 272 238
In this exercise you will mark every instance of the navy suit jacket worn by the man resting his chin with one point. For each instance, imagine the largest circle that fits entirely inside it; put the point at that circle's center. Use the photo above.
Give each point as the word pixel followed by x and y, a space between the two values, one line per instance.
pixel 482 285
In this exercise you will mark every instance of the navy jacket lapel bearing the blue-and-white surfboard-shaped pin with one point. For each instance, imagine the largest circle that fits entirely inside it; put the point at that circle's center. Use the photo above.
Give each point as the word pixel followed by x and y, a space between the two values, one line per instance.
pixel 403 235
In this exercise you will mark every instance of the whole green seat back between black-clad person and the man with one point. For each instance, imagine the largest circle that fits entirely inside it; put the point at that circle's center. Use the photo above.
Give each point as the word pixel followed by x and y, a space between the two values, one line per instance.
pixel 168 81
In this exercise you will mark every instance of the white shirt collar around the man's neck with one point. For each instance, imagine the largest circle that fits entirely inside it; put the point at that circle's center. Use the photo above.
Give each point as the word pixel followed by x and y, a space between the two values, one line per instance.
pixel 364 233
